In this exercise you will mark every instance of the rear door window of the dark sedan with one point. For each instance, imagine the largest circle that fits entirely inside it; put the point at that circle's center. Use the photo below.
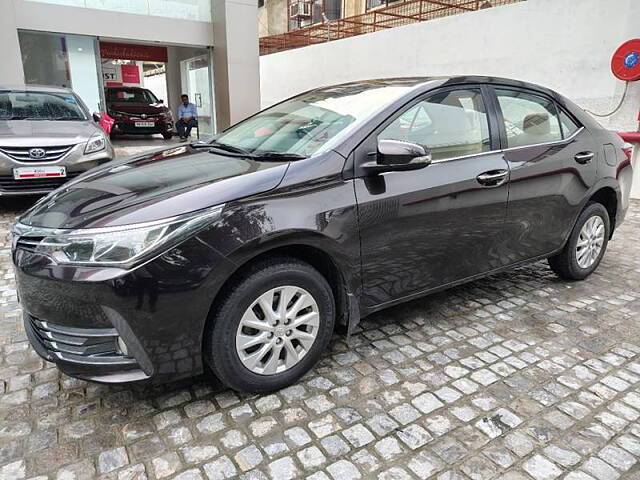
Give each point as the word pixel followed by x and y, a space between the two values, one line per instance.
pixel 528 119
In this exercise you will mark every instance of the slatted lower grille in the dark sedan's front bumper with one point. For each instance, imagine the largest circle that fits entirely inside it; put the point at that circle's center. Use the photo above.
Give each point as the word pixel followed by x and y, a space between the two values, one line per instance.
pixel 83 342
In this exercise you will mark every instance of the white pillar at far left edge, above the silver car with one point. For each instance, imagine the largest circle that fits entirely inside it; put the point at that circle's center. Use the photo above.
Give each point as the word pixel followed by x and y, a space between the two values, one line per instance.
pixel 11 71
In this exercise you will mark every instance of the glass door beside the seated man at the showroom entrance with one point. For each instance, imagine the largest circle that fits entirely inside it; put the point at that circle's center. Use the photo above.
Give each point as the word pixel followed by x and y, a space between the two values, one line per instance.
pixel 196 82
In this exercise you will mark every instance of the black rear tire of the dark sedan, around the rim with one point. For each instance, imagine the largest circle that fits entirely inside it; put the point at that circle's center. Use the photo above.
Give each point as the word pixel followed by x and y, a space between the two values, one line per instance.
pixel 565 263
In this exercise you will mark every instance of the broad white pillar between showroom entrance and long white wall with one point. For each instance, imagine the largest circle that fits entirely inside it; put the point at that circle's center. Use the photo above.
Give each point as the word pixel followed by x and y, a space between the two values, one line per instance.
pixel 236 62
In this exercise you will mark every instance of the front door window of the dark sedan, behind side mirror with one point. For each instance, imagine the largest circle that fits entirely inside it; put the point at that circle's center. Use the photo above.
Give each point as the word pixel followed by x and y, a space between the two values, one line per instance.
pixel 449 124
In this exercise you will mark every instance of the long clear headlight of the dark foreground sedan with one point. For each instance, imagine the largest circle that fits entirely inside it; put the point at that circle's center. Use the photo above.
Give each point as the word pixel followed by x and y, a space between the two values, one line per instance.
pixel 115 246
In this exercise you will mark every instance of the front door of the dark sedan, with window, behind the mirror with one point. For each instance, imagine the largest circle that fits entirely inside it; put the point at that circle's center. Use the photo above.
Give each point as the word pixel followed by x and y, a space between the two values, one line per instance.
pixel 427 228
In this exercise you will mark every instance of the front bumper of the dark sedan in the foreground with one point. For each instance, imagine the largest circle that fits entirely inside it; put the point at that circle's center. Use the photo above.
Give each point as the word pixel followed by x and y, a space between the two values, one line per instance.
pixel 73 316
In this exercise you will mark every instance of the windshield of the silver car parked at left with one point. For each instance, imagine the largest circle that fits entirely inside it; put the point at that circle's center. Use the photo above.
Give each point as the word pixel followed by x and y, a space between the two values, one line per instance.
pixel 23 105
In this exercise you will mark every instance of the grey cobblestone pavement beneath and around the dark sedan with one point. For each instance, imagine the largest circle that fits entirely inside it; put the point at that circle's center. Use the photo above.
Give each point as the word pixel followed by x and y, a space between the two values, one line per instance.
pixel 517 376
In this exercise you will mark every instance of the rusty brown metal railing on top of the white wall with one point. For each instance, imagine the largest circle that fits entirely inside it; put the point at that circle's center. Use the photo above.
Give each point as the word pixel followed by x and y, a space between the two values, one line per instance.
pixel 392 15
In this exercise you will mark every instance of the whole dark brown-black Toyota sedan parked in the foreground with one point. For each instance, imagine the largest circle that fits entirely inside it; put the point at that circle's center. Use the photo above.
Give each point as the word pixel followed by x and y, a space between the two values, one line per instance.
pixel 244 253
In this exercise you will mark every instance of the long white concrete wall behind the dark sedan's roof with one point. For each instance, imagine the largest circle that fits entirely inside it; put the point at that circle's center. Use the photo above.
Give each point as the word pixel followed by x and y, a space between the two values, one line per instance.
pixel 563 44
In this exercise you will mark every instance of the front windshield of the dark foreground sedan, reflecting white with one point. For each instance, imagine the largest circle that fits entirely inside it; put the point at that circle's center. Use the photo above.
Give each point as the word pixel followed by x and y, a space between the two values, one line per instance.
pixel 312 122
